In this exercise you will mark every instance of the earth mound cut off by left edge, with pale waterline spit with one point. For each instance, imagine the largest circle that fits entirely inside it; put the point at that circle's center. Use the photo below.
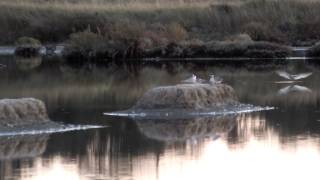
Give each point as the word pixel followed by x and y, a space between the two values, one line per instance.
pixel 29 116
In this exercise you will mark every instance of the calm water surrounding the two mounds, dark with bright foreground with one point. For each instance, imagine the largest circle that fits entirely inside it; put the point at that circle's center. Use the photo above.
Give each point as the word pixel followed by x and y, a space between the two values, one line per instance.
pixel 279 144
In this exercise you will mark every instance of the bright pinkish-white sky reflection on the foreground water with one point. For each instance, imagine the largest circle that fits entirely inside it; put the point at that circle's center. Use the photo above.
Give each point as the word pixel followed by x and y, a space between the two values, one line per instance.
pixel 263 158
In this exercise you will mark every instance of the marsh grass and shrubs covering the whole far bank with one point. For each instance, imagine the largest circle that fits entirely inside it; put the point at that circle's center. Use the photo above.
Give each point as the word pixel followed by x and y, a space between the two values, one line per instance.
pixel 109 29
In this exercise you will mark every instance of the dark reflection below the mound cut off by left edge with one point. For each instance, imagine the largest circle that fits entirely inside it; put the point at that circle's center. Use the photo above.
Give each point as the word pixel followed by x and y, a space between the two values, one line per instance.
pixel 22 146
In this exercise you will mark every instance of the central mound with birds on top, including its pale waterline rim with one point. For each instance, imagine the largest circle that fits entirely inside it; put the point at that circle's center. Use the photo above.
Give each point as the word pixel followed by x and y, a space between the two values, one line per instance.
pixel 187 100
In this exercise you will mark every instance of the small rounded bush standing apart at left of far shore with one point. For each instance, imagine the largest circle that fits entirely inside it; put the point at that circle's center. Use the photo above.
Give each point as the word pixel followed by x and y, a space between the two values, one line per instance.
pixel 27 46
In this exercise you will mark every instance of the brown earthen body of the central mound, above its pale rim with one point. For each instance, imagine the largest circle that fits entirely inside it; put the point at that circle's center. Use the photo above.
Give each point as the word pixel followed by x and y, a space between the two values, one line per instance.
pixel 187 96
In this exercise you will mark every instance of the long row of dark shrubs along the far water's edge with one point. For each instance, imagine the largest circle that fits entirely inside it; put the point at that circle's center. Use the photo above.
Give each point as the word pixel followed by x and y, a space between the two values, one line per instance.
pixel 95 47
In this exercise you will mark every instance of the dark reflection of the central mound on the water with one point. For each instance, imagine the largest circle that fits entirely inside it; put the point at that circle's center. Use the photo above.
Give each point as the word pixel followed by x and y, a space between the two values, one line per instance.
pixel 184 129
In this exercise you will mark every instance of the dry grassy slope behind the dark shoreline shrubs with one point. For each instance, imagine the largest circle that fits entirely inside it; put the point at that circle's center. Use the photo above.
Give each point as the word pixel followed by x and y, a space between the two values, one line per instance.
pixel 291 22
